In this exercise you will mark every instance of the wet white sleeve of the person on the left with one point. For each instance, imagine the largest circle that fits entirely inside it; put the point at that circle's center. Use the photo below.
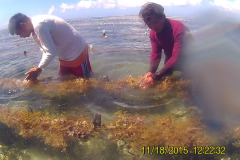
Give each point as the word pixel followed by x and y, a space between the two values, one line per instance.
pixel 47 45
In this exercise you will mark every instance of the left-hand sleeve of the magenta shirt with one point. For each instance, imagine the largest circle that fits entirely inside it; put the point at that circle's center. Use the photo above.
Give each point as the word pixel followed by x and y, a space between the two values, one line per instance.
pixel 155 57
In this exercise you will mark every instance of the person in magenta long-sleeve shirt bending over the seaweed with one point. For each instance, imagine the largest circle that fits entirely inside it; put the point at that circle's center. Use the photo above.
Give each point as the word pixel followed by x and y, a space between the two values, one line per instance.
pixel 165 35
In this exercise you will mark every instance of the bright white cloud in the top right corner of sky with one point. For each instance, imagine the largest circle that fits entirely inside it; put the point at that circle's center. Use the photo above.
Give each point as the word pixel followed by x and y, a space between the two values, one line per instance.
pixel 235 5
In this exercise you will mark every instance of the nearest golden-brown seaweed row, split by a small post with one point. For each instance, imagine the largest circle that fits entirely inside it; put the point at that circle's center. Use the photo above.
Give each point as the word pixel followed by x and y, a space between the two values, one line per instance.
pixel 133 131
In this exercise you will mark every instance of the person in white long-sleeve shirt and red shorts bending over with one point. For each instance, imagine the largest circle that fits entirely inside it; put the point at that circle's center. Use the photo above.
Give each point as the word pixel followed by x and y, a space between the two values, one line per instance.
pixel 55 37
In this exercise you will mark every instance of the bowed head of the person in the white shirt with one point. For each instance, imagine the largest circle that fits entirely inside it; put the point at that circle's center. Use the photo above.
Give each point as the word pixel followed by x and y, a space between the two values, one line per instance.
pixel 21 25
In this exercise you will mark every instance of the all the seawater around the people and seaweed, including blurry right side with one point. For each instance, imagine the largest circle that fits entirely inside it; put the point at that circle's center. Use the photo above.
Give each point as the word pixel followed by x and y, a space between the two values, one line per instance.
pixel 123 53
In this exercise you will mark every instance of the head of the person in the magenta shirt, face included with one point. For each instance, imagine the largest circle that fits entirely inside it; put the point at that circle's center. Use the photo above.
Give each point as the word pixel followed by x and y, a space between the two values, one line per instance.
pixel 153 16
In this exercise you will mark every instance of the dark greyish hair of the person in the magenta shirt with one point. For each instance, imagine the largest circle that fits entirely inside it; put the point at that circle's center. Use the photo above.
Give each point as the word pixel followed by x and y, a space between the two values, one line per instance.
pixel 151 9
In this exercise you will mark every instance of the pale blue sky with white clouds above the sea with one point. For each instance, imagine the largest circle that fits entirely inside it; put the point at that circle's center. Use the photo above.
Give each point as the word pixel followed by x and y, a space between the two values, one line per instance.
pixel 68 9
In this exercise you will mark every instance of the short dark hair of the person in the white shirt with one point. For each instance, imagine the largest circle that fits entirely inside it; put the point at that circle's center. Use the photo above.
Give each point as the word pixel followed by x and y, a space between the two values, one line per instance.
pixel 15 20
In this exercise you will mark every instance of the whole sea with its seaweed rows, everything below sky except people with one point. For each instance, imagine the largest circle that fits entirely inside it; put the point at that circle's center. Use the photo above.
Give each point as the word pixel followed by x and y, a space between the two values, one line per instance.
pixel 108 116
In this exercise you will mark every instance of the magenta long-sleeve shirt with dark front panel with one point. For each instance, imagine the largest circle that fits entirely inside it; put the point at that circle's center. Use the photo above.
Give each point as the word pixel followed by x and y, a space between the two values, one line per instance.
pixel 170 39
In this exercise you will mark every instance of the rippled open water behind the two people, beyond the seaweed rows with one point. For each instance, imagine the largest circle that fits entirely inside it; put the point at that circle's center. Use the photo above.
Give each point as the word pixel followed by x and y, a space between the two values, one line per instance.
pixel 124 52
